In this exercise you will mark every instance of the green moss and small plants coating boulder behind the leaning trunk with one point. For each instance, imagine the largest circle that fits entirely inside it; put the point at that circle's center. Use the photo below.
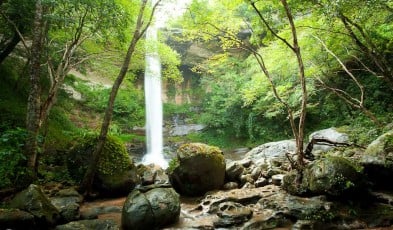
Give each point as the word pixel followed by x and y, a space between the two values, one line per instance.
pixel 114 157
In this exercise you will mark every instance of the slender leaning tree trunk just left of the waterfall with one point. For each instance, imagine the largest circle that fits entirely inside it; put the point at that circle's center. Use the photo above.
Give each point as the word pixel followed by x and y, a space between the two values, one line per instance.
pixel 138 32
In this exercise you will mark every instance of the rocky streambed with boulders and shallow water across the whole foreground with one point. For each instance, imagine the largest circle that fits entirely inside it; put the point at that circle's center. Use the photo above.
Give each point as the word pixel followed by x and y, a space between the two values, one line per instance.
pixel 343 188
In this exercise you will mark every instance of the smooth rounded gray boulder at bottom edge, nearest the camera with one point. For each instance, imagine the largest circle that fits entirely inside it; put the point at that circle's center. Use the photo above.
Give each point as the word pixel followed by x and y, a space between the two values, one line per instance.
pixel 150 209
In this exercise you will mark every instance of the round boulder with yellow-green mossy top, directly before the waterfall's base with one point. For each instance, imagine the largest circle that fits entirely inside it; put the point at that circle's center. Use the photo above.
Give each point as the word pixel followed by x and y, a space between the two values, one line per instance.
pixel 198 168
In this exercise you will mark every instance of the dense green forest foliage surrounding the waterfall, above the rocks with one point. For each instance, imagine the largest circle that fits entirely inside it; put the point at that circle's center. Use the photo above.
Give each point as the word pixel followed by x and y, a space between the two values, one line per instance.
pixel 346 48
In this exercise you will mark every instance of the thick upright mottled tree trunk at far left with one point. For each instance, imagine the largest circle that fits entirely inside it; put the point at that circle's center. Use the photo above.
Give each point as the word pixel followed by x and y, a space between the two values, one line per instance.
pixel 33 103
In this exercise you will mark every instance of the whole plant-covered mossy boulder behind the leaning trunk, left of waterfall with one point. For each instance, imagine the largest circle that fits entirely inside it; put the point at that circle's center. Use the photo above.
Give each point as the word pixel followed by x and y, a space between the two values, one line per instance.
pixel 116 173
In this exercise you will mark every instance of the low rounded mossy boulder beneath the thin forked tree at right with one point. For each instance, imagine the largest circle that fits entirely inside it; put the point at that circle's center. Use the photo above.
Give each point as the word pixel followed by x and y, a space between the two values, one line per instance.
pixel 334 176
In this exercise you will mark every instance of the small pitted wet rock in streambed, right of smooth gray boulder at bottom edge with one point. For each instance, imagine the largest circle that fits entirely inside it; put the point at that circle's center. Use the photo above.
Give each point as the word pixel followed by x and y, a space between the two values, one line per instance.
pixel 232 213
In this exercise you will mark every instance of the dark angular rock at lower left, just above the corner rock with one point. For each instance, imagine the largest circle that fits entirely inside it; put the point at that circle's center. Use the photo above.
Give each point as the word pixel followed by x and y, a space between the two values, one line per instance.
pixel 34 201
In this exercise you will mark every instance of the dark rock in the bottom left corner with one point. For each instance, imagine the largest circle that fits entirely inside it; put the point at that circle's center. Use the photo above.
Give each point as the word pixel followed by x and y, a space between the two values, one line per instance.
pixel 16 219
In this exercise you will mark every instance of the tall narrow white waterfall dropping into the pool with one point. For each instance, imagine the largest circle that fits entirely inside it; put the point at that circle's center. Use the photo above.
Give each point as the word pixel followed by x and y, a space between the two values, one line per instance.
pixel 153 102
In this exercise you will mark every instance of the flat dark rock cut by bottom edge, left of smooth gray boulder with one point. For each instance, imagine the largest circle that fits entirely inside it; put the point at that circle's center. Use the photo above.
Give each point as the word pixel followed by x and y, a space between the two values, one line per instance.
pixel 96 224
